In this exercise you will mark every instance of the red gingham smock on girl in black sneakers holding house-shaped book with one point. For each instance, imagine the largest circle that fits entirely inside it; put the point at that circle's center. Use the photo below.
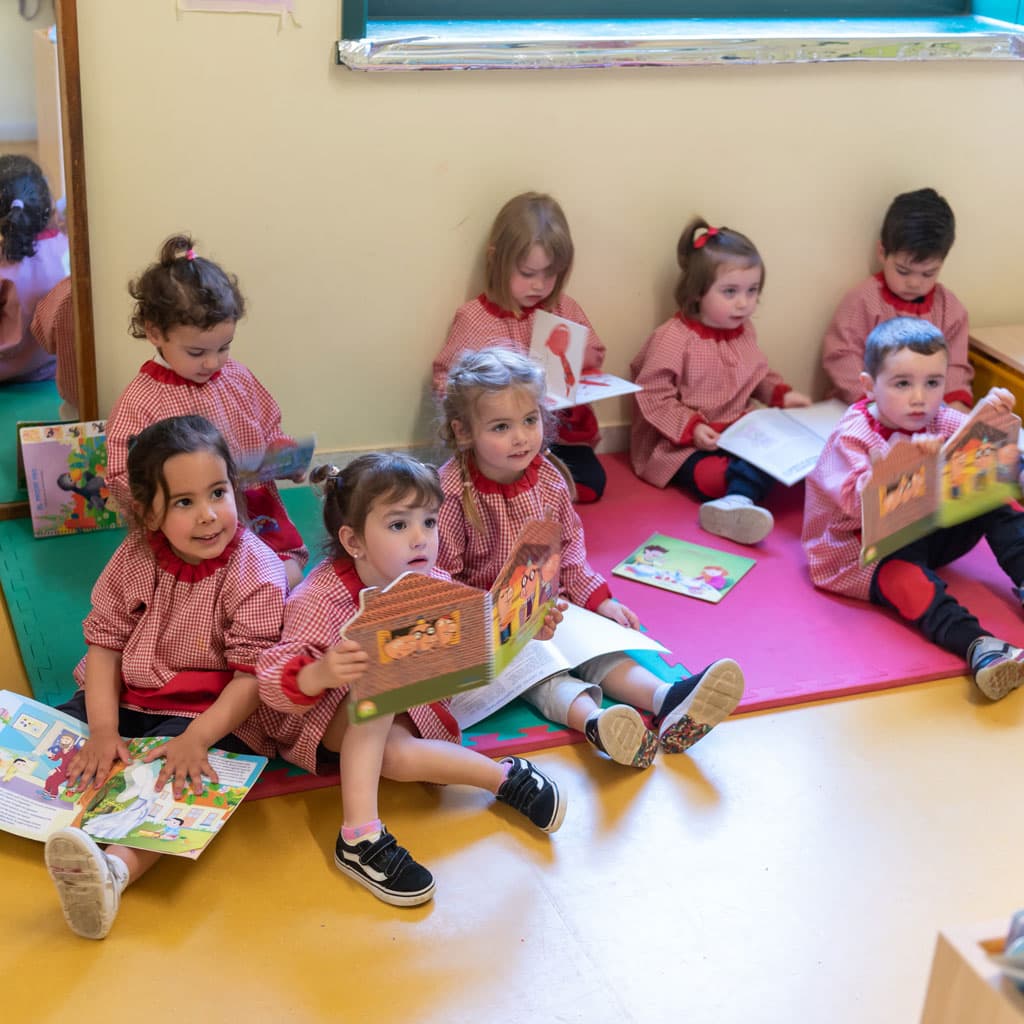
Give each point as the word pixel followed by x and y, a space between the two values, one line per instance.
pixel 317 611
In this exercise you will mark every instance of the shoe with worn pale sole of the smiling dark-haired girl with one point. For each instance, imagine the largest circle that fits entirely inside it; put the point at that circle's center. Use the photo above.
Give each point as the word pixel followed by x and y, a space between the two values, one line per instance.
pixel 89 882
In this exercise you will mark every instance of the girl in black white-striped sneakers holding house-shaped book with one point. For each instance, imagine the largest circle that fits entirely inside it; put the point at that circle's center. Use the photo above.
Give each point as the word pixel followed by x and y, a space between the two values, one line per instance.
pixel 381 519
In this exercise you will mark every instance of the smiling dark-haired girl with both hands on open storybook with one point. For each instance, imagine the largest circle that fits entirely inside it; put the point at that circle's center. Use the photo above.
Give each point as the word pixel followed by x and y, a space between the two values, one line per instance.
pixel 180 617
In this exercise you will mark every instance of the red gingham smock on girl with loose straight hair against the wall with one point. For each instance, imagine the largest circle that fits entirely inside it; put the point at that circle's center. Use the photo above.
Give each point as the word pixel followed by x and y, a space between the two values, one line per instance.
pixel 481 323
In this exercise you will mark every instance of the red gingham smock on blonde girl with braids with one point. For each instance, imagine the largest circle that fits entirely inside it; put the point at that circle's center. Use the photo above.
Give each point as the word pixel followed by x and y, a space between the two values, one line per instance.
pixel 476 558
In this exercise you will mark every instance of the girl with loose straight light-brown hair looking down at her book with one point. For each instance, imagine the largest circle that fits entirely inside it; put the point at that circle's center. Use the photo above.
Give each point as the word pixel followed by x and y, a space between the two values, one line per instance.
pixel 529 260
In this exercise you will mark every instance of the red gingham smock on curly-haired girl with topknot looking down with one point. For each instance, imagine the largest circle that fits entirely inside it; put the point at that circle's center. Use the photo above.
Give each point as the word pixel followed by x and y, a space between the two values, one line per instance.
pixel 236 404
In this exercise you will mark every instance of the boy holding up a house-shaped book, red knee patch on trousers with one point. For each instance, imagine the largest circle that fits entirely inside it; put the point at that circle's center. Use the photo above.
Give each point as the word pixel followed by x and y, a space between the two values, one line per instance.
pixel 905 379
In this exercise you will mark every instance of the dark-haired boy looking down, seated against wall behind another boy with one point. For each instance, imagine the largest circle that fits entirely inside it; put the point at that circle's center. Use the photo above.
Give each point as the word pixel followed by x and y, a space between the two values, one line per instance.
pixel 917 235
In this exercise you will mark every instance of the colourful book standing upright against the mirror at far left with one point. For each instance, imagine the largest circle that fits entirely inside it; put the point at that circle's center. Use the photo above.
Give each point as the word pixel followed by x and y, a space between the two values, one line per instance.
pixel 66 478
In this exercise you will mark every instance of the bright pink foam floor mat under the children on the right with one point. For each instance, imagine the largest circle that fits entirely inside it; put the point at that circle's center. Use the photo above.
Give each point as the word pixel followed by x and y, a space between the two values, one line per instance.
pixel 795 644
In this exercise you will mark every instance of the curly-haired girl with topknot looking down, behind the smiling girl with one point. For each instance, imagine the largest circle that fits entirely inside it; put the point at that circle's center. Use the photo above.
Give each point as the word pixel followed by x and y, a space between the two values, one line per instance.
pixel 188 309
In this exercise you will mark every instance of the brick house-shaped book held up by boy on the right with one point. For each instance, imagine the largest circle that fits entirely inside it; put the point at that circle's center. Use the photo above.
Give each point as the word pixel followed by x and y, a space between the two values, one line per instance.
pixel 916 489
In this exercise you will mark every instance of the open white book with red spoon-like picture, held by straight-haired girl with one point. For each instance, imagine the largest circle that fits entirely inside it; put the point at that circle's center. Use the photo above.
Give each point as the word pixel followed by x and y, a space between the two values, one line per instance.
pixel 560 345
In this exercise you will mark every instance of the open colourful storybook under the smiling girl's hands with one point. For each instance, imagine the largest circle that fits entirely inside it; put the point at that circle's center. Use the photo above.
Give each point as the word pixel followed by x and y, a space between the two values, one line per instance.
pixel 37 746
